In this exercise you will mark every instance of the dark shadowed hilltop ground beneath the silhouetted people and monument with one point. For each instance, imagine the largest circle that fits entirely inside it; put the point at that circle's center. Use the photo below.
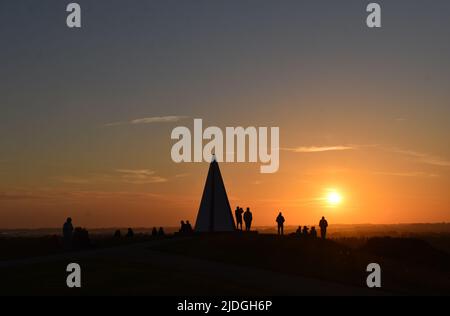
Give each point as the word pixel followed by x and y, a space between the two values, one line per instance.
pixel 236 264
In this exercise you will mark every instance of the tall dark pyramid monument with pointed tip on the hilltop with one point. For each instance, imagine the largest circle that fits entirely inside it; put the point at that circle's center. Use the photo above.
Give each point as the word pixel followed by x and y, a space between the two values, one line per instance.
pixel 215 213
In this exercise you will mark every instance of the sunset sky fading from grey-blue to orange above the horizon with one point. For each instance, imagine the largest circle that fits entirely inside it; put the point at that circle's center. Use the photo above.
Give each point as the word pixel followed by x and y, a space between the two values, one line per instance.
pixel 87 114
